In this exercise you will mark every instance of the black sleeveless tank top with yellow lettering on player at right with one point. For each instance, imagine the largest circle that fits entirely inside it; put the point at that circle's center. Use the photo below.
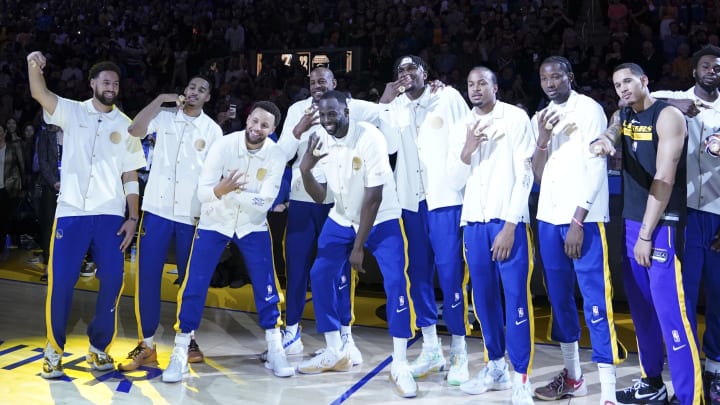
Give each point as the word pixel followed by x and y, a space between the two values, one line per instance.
pixel 640 141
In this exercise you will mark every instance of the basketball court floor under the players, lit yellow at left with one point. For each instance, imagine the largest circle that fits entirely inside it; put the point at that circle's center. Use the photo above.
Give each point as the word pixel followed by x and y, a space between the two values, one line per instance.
pixel 232 343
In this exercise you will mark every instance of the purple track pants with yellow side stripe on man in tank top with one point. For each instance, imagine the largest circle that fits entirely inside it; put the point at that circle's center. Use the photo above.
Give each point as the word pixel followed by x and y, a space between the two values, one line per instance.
pixel 657 305
